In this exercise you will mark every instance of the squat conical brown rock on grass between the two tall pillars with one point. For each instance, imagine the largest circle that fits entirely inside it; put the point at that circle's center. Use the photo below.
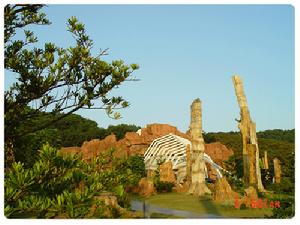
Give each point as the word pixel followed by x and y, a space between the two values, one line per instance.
pixel 223 193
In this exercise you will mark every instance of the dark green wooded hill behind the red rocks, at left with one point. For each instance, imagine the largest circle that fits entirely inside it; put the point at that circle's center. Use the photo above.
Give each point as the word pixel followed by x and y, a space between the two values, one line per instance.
pixel 72 130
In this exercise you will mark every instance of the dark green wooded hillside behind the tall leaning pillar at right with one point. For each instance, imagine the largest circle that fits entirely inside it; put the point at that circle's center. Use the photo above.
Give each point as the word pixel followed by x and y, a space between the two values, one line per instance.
pixel 278 143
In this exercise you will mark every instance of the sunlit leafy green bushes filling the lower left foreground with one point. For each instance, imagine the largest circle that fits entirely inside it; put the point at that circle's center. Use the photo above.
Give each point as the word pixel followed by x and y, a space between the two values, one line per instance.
pixel 57 186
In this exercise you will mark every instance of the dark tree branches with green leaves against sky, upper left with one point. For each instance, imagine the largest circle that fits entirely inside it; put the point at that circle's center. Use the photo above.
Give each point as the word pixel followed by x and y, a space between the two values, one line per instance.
pixel 52 78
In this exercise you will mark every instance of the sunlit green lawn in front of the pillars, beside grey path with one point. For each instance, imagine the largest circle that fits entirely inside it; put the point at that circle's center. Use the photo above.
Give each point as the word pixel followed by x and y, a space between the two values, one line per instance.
pixel 193 204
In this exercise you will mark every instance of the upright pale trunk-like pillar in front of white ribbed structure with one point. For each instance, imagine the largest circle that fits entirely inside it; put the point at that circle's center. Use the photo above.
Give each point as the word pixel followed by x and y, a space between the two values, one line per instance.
pixel 197 186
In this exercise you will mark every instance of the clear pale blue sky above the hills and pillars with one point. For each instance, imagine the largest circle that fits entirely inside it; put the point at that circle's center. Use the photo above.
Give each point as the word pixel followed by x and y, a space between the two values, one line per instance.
pixel 191 51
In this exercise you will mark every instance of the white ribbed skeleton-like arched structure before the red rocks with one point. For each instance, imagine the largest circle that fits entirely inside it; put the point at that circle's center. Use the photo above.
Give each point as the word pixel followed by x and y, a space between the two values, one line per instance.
pixel 173 148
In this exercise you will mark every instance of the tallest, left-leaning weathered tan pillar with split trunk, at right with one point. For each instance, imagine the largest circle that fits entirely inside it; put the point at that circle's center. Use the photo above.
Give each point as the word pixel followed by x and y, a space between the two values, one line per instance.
pixel 252 174
